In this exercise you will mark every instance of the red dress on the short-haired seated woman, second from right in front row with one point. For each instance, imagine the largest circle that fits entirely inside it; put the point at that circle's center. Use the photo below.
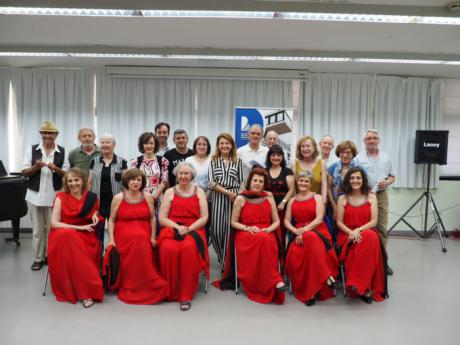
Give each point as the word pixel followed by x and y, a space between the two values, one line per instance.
pixel 310 265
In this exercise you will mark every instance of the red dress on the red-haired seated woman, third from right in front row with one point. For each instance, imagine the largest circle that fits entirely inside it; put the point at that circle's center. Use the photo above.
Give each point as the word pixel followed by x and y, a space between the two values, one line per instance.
pixel 257 255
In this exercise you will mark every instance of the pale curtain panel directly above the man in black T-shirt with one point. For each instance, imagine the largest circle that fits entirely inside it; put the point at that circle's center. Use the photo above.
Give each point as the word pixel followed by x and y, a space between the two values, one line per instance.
pixel 129 106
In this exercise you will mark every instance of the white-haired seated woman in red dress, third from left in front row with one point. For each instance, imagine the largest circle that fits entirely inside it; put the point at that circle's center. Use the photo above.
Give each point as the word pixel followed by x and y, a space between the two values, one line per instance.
pixel 182 242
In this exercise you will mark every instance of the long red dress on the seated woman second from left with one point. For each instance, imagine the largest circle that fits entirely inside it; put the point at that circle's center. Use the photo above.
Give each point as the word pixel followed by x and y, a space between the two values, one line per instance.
pixel 140 282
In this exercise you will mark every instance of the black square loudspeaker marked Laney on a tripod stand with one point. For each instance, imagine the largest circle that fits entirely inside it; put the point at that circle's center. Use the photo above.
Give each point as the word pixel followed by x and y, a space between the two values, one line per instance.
pixel 431 147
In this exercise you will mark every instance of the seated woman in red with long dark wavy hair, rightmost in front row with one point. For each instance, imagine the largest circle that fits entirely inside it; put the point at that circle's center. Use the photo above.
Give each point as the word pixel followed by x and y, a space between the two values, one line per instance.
pixel 361 248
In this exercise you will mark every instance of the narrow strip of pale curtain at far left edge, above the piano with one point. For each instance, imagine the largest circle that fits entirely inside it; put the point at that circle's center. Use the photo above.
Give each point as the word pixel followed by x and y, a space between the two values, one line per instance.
pixel 4 95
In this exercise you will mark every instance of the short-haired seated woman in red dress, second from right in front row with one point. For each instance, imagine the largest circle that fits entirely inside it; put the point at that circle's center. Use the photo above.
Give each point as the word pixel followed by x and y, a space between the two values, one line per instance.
pixel 311 262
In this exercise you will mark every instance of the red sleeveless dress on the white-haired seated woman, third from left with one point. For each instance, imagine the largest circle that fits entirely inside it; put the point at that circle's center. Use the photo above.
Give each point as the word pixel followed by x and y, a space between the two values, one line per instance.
pixel 180 261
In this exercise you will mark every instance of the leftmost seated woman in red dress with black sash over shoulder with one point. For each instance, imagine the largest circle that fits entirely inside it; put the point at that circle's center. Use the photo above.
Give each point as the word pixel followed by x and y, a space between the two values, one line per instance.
pixel 73 249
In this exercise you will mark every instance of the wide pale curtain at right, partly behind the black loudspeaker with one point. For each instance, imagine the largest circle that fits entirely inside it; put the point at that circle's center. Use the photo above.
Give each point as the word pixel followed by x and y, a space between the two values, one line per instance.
pixel 346 105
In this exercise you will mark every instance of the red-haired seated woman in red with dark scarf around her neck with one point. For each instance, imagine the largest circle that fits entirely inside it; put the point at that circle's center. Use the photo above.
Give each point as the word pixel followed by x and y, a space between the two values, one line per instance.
pixel 255 222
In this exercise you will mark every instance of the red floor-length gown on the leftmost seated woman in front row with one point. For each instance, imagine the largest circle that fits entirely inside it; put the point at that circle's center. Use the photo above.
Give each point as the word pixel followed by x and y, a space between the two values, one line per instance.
pixel 74 255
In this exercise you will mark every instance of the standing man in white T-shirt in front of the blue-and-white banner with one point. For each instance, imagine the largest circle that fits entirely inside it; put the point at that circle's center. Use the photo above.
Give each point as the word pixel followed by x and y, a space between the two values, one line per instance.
pixel 253 154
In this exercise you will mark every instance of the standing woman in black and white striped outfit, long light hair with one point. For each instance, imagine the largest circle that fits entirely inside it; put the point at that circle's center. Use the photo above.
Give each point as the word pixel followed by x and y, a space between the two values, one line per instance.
pixel 225 179
